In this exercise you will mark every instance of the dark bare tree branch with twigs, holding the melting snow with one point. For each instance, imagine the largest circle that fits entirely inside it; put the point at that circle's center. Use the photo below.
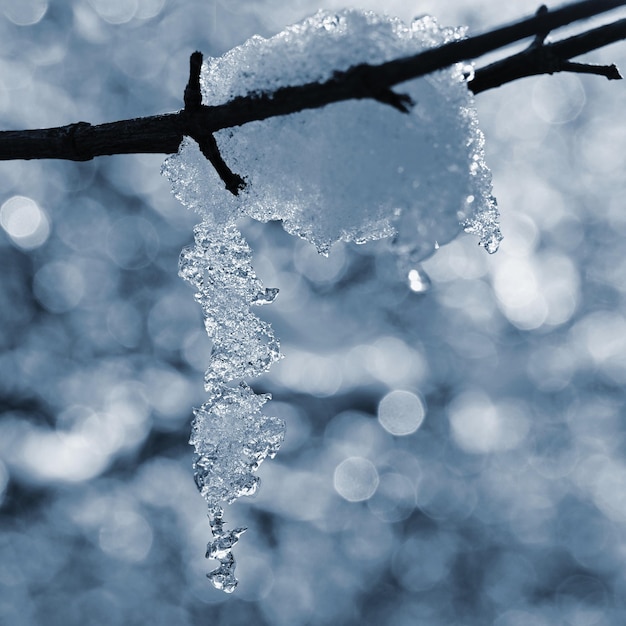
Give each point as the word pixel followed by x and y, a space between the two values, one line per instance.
pixel 163 133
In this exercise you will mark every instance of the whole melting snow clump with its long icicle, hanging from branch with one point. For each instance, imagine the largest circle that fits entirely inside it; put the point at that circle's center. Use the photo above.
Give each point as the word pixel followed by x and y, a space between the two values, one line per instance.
pixel 353 171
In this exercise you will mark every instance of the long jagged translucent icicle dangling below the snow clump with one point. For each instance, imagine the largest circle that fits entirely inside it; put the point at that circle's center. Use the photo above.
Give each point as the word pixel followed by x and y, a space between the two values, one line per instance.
pixel 230 435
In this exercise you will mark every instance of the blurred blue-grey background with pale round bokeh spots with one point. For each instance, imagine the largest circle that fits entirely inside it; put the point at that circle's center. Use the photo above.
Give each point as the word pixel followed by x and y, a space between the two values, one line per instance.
pixel 456 442
